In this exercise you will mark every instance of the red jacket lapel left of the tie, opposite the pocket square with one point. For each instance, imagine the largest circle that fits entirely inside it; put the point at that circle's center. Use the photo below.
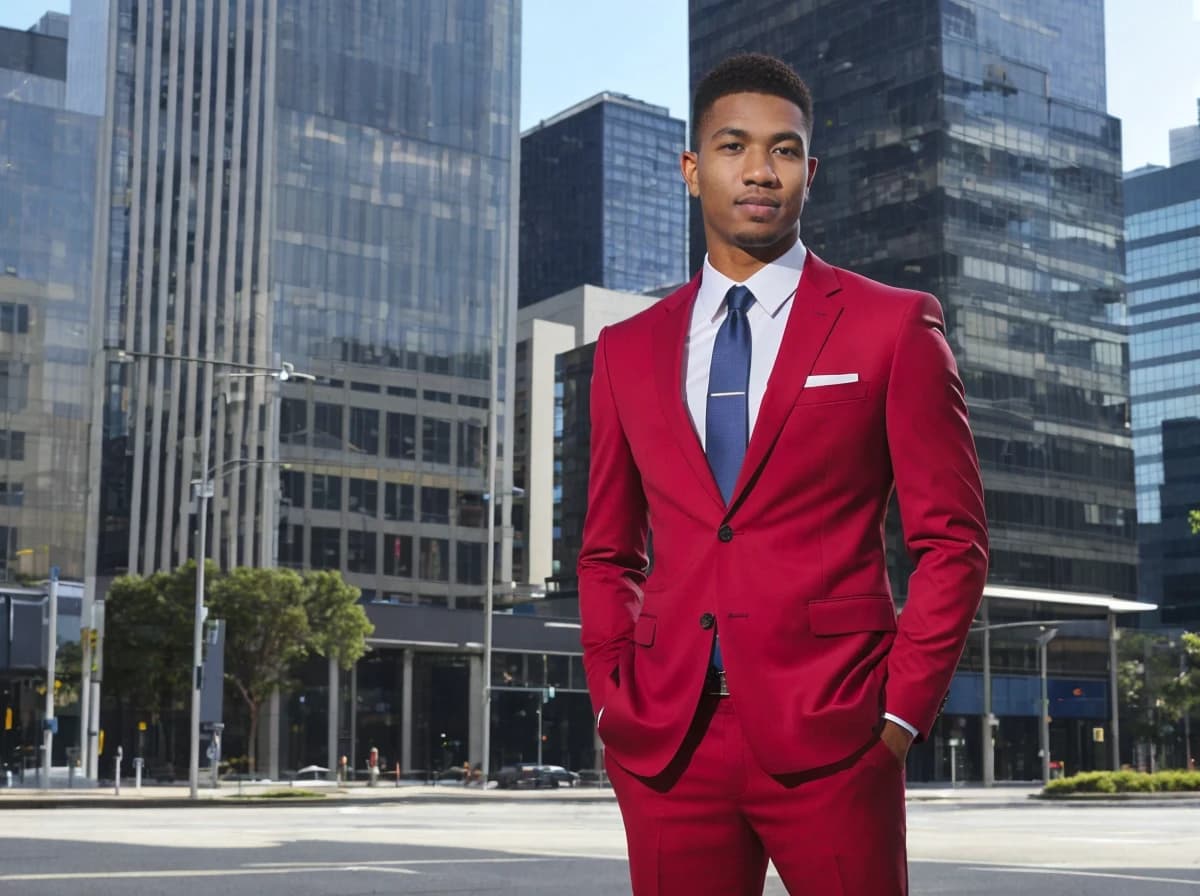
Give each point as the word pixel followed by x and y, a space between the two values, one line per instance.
pixel 671 333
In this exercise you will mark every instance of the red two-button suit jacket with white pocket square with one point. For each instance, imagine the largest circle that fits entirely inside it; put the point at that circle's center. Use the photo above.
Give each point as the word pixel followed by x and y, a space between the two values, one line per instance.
pixel 793 573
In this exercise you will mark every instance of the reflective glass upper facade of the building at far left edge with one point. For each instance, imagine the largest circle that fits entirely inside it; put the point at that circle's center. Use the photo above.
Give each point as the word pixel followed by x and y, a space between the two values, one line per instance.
pixel 47 181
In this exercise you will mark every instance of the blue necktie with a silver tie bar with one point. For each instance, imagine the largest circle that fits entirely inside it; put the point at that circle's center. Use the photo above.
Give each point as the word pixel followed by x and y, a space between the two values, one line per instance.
pixel 728 418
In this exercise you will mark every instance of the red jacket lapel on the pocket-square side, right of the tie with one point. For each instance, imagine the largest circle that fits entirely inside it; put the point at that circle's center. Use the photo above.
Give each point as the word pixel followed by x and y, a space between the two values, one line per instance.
pixel 814 314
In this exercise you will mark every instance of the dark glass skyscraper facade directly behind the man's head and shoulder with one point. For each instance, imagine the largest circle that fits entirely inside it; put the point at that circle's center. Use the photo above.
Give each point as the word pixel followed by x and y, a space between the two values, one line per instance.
pixel 965 151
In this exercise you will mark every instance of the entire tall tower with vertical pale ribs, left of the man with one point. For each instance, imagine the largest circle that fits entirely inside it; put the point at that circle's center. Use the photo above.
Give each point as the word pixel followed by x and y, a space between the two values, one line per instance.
pixel 332 187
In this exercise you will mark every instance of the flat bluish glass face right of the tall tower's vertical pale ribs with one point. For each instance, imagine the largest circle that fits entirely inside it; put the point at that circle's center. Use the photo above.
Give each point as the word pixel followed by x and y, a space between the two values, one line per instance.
pixel 394 154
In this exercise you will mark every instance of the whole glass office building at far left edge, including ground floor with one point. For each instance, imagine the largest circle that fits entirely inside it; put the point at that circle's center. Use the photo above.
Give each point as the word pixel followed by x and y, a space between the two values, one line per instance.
pixel 47 178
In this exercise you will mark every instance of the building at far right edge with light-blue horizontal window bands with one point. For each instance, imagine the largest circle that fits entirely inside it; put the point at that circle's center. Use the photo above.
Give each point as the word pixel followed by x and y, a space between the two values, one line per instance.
pixel 1163 272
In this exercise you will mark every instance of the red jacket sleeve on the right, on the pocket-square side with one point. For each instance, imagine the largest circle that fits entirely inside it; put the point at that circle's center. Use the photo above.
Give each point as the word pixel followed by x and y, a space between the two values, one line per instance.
pixel 943 512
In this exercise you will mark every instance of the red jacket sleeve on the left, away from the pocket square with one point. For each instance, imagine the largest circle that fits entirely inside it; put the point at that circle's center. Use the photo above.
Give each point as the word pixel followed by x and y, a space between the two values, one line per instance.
pixel 614 557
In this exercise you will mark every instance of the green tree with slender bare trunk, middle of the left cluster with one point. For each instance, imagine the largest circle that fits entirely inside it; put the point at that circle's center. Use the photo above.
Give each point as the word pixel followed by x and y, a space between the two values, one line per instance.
pixel 267 634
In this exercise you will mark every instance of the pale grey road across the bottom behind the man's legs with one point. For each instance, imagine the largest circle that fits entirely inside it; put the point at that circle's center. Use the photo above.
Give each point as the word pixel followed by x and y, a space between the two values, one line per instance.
pixel 554 847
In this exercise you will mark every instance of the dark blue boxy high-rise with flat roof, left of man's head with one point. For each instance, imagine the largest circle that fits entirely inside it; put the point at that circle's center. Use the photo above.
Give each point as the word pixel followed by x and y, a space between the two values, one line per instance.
pixel 602 200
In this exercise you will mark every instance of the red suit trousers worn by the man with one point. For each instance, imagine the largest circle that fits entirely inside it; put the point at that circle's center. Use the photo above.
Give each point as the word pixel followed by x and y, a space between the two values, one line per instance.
pixel 709 825
